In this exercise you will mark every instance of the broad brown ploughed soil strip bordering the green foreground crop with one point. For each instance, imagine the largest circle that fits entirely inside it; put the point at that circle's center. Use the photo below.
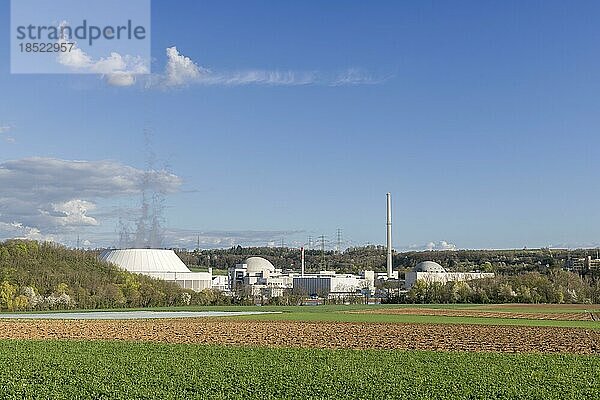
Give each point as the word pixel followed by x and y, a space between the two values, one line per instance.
pixel 316 334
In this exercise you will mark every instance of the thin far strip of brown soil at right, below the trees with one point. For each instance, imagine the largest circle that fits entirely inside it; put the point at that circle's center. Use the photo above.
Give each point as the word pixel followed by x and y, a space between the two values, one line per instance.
pixel 577 316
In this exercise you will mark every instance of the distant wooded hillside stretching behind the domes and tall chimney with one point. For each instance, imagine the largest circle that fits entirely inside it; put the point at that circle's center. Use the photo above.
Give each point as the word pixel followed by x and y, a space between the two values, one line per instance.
pixel 355 259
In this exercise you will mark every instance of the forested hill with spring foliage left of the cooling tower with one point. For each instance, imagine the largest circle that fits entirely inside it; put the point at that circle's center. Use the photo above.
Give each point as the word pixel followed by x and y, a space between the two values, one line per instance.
pixel 38 276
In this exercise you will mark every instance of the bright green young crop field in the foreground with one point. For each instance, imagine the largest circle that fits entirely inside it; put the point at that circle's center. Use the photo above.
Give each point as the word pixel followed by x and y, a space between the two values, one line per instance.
pixel 117 370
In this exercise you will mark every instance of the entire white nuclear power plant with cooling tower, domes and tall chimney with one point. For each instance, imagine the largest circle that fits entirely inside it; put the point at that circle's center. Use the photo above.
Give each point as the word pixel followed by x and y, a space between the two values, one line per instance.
pixel 257 276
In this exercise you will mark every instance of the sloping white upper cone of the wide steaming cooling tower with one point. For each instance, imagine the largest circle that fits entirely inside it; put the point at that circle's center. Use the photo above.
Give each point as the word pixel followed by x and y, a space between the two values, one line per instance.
pixel 145 260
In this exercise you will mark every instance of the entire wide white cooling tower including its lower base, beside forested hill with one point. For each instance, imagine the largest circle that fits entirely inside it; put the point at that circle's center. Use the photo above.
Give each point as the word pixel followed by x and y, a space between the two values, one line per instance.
pixel 161 264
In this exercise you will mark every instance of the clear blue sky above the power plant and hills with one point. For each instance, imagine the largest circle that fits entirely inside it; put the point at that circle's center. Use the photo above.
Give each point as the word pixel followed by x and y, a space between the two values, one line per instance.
pixel 481 118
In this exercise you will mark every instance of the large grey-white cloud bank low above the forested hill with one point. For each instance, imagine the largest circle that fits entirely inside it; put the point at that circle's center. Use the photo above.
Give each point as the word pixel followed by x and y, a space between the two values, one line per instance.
pixel 55 197
